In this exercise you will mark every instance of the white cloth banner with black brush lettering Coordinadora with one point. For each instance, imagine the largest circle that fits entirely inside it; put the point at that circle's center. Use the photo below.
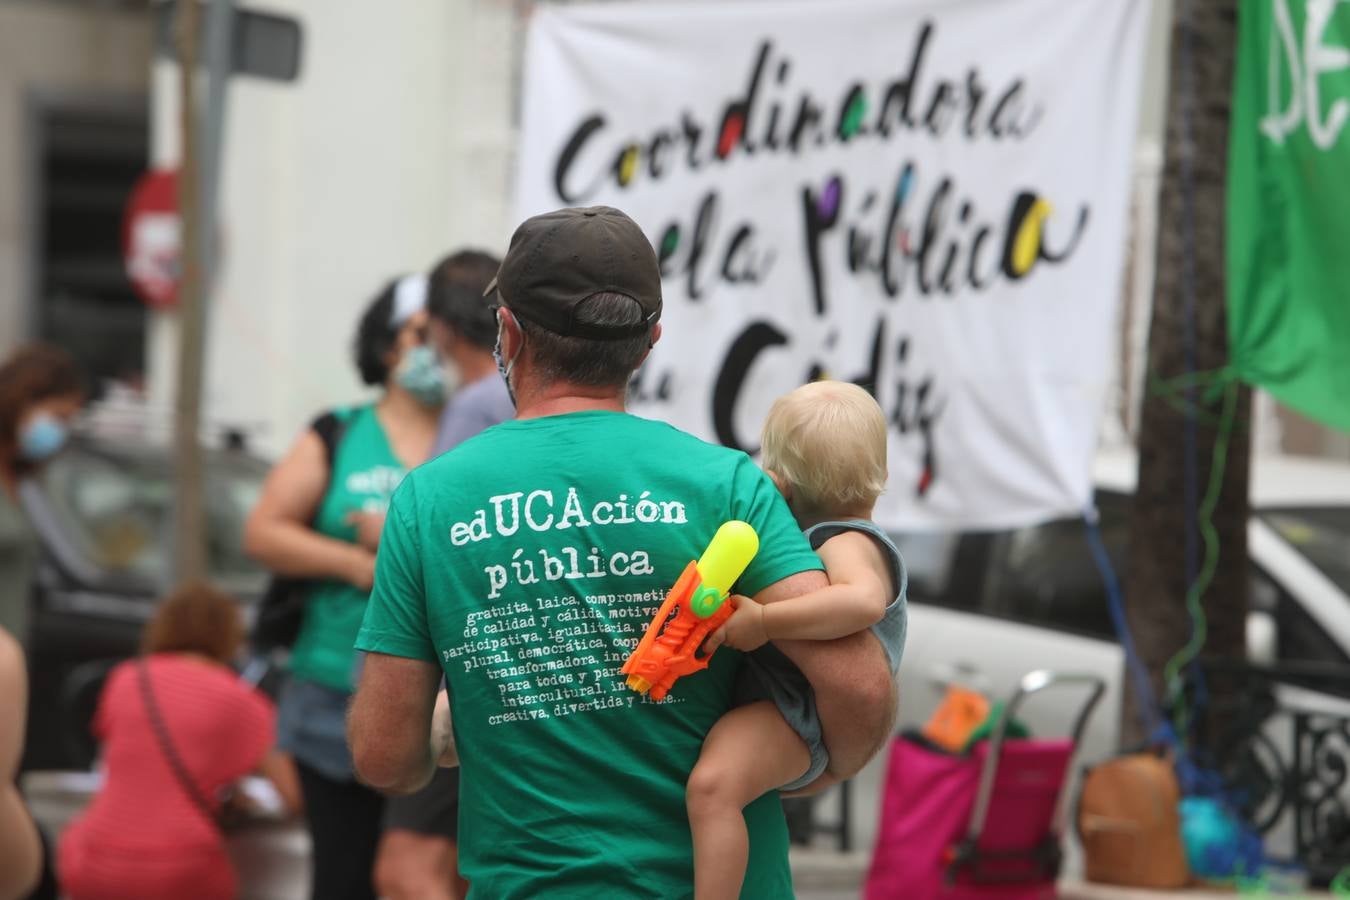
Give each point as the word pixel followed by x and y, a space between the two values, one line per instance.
pixel 927 198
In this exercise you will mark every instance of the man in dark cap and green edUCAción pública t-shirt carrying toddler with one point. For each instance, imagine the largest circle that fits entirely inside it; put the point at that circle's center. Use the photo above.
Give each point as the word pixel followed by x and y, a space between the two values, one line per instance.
pixel 526 566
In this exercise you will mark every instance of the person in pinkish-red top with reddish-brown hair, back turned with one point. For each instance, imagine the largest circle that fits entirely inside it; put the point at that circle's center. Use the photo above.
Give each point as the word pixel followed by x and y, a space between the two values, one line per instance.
pixel 178 729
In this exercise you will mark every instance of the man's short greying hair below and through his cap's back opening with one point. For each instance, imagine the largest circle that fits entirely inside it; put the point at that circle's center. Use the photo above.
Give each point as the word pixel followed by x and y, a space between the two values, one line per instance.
pixel 584 361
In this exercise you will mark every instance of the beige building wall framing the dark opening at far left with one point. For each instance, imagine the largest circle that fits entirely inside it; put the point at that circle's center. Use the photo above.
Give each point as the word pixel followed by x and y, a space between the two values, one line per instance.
pixel 51 49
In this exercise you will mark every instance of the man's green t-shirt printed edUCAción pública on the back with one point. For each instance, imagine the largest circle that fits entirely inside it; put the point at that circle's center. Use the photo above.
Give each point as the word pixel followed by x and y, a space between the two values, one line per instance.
pixel 529 563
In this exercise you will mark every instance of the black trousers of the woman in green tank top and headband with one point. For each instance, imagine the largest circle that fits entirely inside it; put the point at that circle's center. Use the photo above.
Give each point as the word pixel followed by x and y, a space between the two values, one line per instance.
pixel 345 826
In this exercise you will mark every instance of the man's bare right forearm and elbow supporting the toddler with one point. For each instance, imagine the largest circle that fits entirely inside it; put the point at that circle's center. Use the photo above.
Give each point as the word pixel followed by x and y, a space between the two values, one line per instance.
pixel 855 693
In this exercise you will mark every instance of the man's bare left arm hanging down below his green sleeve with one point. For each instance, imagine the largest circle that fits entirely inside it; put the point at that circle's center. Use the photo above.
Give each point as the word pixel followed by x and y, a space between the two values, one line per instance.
pixel 394 744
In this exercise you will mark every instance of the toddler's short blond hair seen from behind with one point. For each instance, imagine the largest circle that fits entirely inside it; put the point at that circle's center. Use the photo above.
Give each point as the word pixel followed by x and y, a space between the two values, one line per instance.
pixel 828 442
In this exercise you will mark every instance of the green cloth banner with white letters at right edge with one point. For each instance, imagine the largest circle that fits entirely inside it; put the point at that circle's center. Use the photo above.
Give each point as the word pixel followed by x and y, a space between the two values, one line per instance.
pixel 1289 240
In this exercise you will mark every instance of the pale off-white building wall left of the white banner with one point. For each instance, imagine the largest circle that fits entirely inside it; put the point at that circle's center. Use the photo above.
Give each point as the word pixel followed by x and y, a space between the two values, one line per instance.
pixel 392 149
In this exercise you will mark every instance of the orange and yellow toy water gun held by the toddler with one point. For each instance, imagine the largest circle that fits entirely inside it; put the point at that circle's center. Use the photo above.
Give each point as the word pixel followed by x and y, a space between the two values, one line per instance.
pixel 699 601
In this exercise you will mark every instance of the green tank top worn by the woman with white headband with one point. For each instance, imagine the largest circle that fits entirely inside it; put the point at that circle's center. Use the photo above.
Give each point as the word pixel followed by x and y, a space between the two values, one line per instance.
pixel 365 474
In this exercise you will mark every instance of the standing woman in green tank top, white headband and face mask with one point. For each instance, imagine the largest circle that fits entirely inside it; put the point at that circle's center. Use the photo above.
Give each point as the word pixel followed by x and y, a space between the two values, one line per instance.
pixel 319 519
